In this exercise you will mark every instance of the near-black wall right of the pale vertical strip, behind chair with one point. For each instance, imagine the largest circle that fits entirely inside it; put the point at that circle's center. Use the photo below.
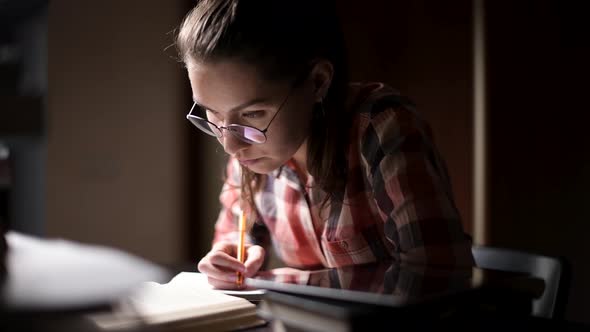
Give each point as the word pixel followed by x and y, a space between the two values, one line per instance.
pixel 538 68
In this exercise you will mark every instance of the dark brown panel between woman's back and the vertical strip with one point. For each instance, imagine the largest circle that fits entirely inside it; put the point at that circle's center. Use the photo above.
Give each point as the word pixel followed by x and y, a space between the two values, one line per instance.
pixel 423 49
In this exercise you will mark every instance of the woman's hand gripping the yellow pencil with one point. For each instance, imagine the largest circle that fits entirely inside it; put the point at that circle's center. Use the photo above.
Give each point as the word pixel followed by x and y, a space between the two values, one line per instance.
pixel 220 264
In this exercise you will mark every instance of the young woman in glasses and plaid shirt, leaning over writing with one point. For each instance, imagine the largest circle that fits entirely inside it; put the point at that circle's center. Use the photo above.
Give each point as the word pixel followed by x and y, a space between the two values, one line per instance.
pixel 331 173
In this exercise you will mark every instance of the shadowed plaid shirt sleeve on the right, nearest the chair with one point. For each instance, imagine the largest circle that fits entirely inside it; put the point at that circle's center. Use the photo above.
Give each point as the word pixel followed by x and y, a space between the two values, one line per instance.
pixel 412 190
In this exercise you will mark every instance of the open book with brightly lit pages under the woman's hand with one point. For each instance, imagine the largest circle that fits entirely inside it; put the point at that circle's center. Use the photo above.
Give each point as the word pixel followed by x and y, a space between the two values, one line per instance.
pixel 187 302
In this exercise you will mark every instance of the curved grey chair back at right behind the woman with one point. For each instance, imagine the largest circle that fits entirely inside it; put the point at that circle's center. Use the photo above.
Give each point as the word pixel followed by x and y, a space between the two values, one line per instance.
pixel 554 271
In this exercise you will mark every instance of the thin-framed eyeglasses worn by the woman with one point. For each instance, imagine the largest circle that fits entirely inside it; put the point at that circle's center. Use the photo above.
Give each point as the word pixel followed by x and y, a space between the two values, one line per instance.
pixel 247 134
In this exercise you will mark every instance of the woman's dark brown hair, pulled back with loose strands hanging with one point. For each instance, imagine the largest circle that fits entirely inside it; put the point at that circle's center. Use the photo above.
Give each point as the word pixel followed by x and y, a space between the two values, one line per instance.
pixel 281 39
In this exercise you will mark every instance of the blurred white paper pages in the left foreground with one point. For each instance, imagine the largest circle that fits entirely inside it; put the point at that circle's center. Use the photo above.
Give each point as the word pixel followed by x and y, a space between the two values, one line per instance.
pixel 58 274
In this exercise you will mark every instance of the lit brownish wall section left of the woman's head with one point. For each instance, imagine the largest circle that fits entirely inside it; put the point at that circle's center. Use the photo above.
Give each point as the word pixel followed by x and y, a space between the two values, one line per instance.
pixel 116 159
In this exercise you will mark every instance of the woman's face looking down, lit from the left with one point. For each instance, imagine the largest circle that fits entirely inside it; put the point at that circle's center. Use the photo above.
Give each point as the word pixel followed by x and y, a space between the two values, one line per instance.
pixel 231 92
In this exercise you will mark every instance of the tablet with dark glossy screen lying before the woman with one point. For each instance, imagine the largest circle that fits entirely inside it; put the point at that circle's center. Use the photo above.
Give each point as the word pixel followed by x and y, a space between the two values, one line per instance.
pixel 388 284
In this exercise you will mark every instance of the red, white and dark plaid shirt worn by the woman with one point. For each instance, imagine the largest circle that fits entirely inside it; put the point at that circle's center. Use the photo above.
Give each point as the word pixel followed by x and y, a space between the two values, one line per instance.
pixel 397 203
